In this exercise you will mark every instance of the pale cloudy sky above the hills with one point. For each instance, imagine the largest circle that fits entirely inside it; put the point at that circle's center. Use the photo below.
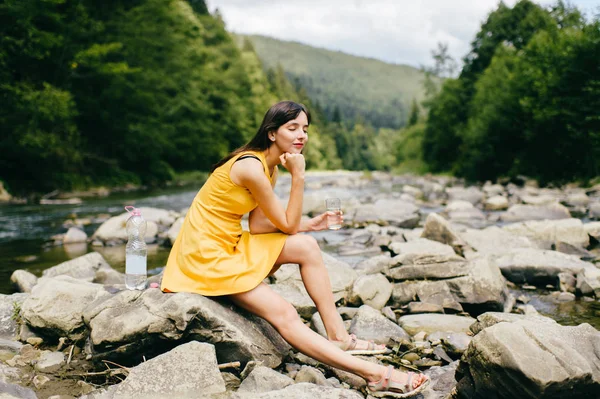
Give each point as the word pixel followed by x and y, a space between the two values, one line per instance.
pixel 394 31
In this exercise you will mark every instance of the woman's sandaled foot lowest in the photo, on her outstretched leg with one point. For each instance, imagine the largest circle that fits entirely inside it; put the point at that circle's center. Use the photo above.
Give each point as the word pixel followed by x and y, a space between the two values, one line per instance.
pixel 394 383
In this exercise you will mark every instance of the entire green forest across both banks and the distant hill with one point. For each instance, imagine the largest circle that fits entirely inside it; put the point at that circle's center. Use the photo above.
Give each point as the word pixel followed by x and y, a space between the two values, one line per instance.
pixel 142 91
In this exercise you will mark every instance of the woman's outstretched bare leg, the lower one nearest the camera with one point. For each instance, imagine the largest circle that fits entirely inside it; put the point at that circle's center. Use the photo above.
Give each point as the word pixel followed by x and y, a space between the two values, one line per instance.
pixel 266 303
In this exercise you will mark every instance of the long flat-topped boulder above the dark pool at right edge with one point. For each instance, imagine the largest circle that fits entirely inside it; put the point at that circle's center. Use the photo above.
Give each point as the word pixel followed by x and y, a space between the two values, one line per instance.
pixel 538 267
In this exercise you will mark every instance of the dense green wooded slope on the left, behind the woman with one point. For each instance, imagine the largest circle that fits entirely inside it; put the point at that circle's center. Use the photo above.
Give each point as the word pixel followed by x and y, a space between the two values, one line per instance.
pixel 113 92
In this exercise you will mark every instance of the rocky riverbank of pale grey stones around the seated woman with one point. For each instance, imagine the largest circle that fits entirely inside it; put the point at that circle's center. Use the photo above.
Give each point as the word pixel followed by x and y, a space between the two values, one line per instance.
pixel 438 263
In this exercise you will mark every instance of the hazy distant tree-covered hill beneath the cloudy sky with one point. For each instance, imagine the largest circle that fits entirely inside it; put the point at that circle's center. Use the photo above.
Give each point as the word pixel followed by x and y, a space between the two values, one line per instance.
pixel 362 89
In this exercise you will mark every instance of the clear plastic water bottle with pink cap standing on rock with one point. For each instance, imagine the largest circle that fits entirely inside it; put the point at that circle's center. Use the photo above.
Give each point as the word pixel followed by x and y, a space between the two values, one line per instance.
pixel 135 252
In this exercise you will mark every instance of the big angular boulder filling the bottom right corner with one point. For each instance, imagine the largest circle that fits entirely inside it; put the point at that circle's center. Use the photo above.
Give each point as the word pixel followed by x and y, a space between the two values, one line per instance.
pixel 531 360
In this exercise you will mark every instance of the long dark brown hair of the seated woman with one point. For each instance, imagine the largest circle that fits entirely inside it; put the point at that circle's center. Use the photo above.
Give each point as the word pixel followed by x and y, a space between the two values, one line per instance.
pixel 279 114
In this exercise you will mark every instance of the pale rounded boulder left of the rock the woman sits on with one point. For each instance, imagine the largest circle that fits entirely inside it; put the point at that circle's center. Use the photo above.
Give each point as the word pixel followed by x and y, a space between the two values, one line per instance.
pixel 55 306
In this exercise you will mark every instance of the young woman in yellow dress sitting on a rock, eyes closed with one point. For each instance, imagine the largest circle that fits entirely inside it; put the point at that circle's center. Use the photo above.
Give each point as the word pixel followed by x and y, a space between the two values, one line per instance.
pixel 212 256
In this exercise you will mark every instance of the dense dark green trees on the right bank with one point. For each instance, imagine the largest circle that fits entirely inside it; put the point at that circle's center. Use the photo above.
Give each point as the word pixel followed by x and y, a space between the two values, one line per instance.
pixel 527 100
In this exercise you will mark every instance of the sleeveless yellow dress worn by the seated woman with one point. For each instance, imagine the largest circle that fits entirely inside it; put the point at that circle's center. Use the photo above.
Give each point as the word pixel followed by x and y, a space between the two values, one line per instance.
pixel 212 255
